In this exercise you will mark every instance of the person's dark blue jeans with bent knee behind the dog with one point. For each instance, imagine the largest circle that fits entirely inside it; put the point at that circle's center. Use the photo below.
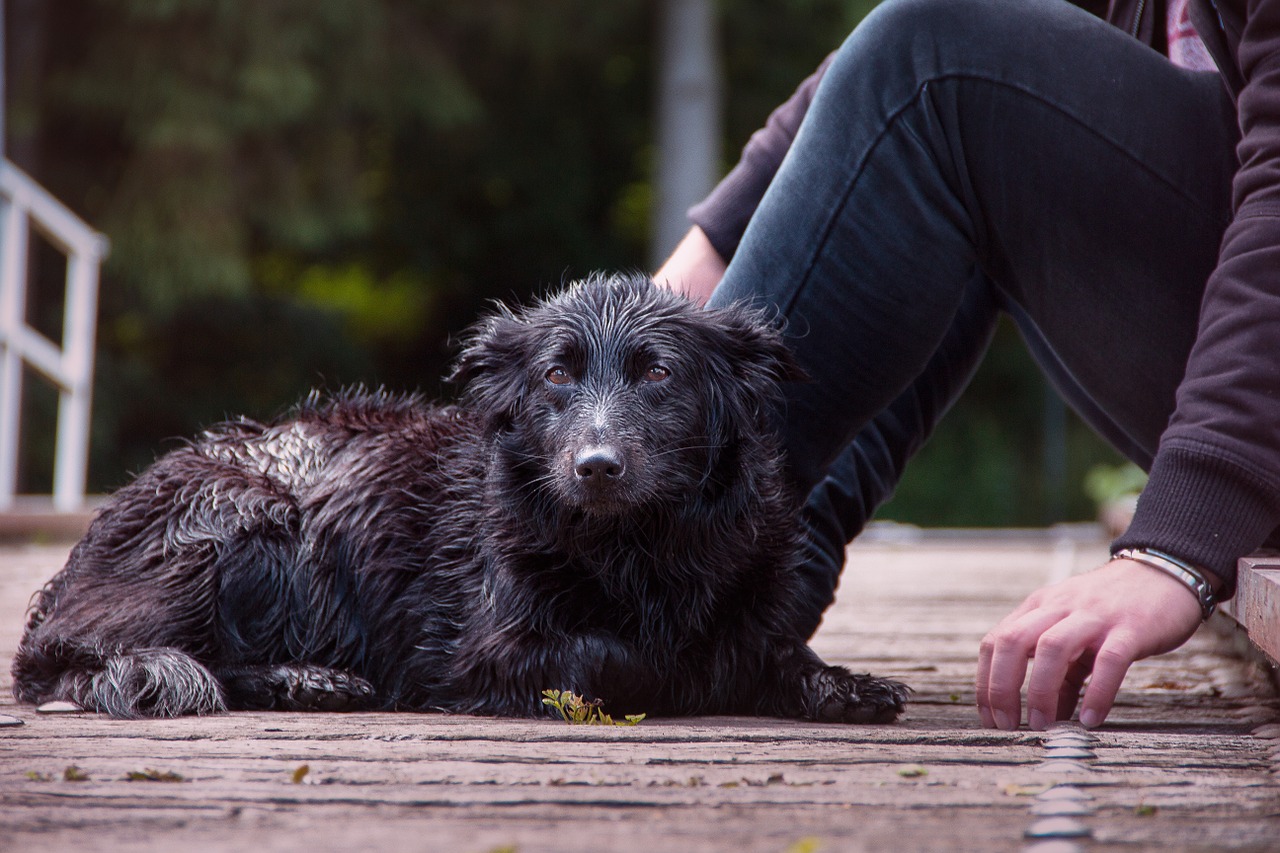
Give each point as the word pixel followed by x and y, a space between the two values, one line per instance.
pixel 964 158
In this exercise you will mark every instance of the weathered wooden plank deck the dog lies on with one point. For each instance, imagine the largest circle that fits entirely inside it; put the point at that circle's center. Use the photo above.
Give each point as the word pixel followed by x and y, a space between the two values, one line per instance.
pixel 1185 764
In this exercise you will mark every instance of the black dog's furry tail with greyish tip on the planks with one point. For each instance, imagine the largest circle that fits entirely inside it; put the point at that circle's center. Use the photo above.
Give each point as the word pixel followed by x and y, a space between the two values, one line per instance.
pixel 124 683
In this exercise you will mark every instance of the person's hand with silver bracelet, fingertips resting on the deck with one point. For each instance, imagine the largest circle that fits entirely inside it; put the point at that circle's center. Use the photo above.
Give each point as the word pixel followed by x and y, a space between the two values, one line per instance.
pixel 1099 623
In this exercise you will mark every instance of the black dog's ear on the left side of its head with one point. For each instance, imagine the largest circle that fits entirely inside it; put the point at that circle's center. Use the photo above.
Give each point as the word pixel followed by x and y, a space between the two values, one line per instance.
pixel 491 367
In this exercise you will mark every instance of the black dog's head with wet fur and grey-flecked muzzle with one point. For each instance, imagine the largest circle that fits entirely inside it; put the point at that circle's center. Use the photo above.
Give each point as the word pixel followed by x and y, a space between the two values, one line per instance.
pixel 618 394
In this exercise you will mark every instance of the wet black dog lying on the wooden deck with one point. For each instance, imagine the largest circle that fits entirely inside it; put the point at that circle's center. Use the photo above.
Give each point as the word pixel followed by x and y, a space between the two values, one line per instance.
pixel 605 513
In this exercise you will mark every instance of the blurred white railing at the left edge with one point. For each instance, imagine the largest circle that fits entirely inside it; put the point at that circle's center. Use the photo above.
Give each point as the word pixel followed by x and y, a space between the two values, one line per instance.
pixel 26 206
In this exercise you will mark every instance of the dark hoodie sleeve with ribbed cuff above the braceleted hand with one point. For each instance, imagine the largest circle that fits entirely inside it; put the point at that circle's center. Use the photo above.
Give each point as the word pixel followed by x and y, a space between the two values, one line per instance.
pixel 1215 485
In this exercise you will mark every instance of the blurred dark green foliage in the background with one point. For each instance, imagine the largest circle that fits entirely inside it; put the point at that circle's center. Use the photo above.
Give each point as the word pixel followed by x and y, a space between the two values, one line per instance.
pixel 318 193
